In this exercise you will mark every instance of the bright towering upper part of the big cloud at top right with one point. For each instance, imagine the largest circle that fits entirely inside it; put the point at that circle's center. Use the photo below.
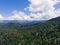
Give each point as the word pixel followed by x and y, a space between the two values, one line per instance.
pixel 42 5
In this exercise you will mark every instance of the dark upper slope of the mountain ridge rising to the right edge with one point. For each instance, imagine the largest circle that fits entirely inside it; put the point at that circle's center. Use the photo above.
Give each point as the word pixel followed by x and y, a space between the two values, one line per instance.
pixel 47 24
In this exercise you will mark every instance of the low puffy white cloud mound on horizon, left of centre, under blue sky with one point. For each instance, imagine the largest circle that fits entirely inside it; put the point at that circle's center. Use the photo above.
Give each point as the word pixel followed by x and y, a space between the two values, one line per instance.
pixel 19 15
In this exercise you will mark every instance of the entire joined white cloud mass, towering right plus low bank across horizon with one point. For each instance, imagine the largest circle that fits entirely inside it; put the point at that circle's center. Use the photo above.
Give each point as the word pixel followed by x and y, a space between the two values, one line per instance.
pixel 39 10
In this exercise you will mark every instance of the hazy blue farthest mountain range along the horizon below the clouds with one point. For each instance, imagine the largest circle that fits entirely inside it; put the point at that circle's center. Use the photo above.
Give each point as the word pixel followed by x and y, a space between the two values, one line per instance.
pixel 21 21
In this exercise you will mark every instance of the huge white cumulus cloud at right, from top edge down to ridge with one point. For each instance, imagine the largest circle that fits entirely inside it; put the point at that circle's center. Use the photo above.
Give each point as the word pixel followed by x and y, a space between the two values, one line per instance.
pixel 45 9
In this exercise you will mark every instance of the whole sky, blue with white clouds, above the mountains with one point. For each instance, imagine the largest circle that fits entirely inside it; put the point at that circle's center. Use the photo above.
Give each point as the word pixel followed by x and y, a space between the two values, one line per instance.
pixel 29 9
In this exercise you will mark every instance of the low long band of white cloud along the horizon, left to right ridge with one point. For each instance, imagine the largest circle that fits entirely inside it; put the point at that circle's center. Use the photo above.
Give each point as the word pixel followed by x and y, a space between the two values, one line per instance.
pixel 18 15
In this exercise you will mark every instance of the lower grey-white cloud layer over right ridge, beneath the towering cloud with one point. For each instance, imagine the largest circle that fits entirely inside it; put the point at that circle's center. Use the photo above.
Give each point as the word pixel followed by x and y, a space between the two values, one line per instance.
pixel 46 15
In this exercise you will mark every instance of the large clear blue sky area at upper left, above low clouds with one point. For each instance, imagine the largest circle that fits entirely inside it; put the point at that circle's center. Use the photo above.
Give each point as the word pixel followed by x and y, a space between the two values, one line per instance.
pixel 7 6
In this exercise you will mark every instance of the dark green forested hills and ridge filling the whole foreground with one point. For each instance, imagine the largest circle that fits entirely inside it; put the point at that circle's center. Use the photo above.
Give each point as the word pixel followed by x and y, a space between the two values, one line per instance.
pixel 45 33
